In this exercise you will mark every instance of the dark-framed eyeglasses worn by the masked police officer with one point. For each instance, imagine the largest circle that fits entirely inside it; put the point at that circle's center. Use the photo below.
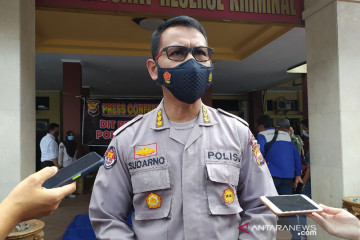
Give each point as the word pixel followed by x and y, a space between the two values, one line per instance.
pixel 179 53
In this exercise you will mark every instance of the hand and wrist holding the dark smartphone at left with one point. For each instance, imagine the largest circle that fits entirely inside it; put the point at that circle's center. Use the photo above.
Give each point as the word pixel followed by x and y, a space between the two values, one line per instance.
pixel 29 200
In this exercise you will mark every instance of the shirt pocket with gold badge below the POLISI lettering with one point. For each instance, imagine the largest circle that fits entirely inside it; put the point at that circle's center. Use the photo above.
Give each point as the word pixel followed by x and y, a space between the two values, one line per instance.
pixel 221 188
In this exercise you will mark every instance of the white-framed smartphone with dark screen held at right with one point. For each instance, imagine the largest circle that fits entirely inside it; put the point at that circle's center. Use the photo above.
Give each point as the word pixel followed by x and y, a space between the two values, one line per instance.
pixel 284 205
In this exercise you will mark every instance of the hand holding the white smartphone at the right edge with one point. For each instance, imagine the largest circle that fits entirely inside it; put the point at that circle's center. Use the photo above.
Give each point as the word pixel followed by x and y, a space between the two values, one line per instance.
pixel 338 222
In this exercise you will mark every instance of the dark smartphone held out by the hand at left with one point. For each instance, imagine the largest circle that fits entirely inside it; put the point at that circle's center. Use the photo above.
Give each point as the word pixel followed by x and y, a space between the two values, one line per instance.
pixel 81 167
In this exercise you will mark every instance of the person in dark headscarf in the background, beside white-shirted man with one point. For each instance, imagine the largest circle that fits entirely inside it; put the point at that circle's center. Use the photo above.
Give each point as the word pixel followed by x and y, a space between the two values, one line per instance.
pixel 67 152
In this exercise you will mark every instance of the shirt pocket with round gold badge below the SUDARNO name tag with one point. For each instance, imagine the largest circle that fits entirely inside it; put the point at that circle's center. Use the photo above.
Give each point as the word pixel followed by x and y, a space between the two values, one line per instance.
pixel 152 194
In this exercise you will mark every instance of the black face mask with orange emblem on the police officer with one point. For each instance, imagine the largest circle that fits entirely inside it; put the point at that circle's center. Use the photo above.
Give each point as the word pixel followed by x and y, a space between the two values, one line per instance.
pixel 187 81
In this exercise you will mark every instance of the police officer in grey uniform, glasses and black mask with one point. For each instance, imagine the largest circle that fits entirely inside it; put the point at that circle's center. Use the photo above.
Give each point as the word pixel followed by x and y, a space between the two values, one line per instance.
pixel 188 171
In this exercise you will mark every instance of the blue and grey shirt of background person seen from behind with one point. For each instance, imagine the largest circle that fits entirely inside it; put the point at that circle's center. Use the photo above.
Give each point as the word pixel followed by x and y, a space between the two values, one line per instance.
pixel 283 158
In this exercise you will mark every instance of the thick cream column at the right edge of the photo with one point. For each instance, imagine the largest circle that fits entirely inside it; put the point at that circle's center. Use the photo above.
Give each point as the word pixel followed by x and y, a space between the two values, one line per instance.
pixel 333 60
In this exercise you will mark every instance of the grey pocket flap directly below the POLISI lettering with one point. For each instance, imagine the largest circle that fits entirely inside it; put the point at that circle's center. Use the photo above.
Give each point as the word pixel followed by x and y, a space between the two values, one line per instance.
pixel 223 173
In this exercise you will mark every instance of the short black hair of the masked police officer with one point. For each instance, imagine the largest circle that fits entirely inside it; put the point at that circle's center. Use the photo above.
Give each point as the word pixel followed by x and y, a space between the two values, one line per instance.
pixel 183 21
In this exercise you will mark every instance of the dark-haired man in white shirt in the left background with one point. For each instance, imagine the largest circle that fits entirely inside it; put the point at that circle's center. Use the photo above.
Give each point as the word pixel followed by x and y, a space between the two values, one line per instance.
pixel 49 147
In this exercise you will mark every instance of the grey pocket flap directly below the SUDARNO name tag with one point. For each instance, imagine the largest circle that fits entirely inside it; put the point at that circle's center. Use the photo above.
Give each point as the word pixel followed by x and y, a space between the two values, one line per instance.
pixel 150 180
